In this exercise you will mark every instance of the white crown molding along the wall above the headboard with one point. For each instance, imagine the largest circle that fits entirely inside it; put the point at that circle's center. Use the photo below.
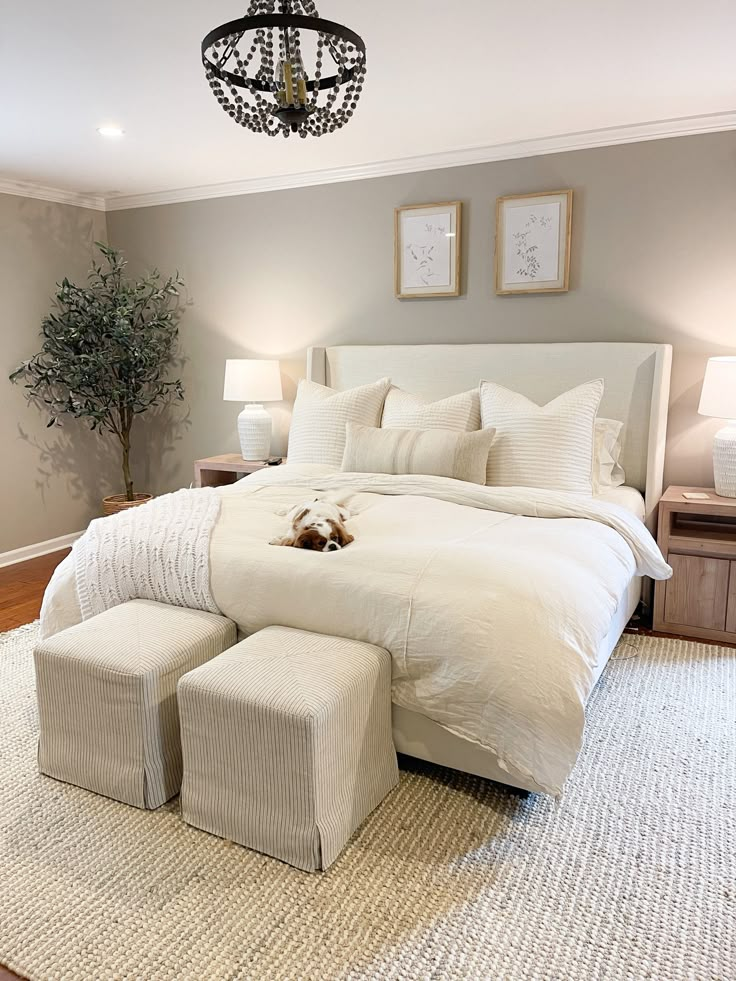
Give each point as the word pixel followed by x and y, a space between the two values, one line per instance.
pixel 585 140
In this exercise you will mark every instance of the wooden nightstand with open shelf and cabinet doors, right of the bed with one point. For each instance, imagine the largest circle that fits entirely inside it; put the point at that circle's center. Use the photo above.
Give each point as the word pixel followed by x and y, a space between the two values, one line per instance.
pixel 698 539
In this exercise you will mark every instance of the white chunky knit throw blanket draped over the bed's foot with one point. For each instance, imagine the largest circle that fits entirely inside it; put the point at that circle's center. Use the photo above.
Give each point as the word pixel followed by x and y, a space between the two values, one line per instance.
pixel 159 551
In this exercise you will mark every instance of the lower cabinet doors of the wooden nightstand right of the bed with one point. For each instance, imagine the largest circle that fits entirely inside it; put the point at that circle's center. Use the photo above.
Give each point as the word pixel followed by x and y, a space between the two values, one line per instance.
pixel 697 595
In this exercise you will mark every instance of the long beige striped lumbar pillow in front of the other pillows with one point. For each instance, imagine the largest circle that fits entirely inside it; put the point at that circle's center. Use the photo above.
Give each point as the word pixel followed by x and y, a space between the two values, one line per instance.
pixel 439 452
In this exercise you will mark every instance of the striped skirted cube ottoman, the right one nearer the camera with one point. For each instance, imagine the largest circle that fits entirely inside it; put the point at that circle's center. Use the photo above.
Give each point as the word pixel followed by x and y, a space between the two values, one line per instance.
pixel 287 745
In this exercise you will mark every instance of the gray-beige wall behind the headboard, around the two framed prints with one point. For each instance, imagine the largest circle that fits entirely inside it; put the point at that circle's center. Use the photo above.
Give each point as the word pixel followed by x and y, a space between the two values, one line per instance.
pixel 653 259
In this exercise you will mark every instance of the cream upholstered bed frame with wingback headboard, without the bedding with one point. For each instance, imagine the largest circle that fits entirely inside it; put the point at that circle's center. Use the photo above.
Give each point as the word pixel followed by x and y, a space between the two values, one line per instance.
pixel 637 382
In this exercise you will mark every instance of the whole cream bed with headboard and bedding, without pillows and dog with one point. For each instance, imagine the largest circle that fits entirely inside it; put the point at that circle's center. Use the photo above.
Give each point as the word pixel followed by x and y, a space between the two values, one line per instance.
pixel 371 593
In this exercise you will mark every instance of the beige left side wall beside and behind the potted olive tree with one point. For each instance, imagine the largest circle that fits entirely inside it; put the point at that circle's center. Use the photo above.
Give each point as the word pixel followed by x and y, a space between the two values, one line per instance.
pixel 51 479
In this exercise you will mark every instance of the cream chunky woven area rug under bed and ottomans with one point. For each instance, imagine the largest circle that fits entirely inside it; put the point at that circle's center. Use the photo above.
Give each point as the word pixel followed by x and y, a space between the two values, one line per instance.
pixel 632 875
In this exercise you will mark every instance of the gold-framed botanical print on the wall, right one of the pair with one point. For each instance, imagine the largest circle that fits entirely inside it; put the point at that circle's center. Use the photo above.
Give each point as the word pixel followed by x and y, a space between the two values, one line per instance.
pixel 533 242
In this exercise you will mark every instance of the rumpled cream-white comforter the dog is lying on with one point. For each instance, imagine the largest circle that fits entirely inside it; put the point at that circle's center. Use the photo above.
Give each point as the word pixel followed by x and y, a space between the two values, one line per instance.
pixel 492 601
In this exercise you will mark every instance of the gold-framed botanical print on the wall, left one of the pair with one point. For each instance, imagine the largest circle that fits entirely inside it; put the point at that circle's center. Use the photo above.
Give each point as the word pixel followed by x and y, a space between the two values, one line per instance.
pixel 427 250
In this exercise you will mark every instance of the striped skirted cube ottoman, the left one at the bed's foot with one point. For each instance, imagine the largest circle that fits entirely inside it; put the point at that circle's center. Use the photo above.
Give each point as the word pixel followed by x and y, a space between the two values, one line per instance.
pixel 107 697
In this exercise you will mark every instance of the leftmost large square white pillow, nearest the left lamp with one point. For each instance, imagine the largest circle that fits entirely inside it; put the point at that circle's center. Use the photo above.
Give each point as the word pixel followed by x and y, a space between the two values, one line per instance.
pixel 317 433
